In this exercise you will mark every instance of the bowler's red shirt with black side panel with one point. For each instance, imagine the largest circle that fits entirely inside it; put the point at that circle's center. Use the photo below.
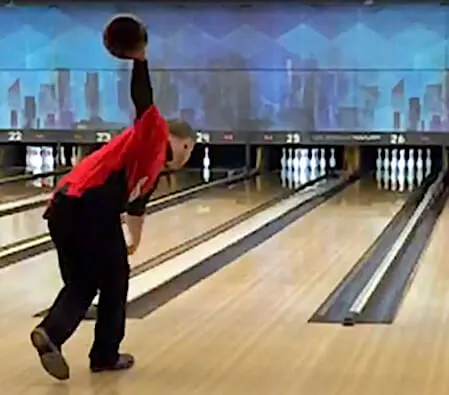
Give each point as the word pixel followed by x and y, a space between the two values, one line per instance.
pixel 121 175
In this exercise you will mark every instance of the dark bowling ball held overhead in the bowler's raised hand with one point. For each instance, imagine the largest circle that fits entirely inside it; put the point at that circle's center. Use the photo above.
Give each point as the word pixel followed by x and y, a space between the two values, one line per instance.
pixel 124 34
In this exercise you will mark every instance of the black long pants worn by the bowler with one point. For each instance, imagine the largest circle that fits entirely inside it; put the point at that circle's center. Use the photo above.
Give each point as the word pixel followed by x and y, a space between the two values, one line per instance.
pixel 92 257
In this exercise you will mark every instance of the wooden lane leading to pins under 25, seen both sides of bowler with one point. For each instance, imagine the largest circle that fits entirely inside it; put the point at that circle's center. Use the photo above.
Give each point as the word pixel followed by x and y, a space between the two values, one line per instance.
pixel 34 282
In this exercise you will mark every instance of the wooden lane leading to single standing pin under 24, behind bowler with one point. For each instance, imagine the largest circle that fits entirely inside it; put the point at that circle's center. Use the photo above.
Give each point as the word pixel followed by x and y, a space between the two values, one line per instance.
pixel 29 223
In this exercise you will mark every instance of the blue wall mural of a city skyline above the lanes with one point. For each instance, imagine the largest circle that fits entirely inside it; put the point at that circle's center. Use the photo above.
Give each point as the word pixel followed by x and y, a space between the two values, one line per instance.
pixel 276 67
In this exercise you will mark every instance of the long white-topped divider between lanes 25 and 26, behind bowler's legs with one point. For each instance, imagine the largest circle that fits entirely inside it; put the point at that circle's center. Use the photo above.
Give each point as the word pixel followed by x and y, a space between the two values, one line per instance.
pixel 157 286
